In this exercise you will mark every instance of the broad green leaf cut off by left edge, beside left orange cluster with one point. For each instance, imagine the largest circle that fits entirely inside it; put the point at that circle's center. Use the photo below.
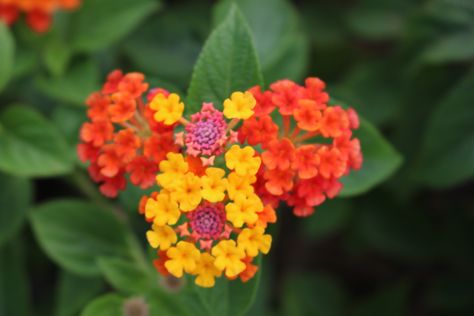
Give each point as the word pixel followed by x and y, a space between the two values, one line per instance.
pixel 31 146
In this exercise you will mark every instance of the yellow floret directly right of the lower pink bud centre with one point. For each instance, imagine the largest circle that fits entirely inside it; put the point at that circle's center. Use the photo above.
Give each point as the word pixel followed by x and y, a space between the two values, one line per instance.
pixel 244 209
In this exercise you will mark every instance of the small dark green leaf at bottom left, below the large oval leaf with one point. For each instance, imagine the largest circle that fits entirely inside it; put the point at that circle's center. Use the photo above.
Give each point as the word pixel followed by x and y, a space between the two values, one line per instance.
pixel 74 292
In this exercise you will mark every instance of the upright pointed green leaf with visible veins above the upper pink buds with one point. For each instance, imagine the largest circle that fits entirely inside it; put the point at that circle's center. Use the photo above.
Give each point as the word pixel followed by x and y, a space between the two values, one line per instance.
pixel 228 62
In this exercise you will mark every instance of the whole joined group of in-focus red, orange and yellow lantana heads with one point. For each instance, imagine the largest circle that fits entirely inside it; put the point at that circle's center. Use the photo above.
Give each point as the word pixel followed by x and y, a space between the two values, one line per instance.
pixel 218 175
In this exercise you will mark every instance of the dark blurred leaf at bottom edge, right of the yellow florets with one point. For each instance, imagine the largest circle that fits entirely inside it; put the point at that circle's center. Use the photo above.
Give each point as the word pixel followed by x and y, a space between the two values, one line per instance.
pixel 313 295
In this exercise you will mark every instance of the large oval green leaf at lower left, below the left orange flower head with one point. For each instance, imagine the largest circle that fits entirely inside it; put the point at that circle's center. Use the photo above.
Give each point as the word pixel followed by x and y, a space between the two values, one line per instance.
pixel 75 234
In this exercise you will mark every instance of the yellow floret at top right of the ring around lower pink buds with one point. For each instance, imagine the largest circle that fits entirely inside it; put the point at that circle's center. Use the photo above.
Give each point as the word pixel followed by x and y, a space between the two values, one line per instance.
pixel 242 160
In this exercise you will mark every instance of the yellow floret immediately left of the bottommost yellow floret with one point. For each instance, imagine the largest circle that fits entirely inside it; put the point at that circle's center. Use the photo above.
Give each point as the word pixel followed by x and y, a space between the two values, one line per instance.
pixel 183 257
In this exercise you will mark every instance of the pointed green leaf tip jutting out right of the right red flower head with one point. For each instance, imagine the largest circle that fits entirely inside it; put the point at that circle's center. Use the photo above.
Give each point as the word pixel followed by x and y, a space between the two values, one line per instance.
pixel 381 160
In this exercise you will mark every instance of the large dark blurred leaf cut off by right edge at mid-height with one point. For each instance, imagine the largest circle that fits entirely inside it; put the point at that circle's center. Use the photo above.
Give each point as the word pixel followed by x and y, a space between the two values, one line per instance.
pixel 447 152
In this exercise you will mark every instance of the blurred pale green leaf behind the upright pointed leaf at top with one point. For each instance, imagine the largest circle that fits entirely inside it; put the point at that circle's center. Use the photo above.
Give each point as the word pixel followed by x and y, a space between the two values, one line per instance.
pixel 281 44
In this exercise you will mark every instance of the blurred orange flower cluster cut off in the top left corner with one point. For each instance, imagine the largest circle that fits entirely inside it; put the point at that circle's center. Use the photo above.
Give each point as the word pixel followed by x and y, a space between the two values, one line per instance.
pixel 38 13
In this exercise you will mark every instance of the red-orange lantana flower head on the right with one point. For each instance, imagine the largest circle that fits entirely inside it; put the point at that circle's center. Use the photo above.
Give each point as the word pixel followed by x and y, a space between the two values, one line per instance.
pixel 304 159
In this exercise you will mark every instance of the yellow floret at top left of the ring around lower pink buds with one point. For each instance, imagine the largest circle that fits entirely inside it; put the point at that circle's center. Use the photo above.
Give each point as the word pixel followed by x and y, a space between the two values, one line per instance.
pixel 172 170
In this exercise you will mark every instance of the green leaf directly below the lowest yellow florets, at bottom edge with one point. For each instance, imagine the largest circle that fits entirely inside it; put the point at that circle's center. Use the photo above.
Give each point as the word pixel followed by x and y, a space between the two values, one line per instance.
pixel 230 297
